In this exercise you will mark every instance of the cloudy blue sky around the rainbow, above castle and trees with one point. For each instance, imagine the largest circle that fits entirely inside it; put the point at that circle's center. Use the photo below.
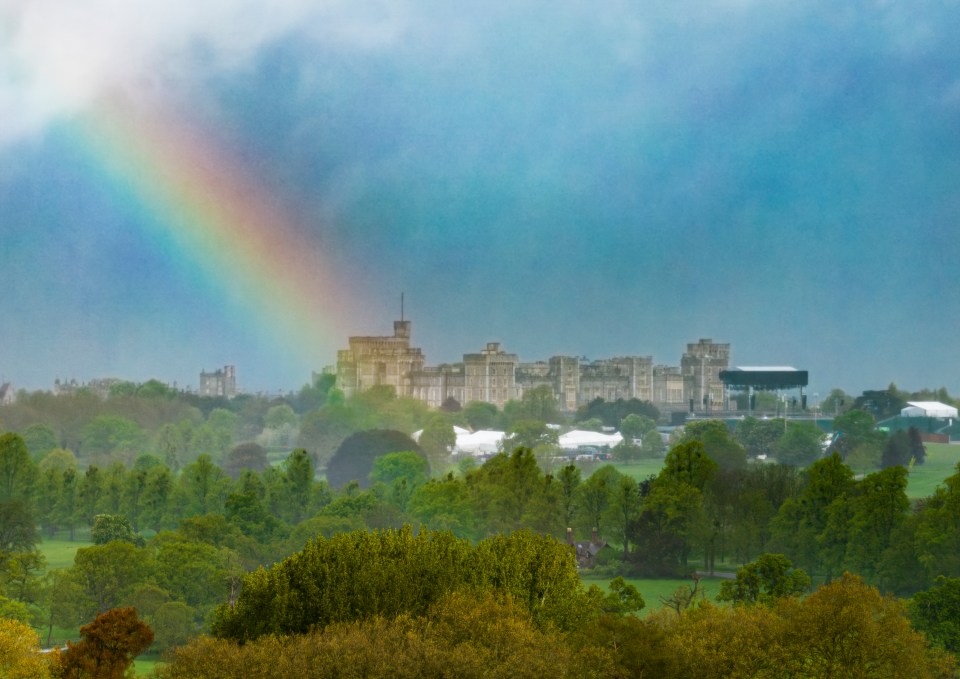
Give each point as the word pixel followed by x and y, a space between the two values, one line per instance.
pixel 581 178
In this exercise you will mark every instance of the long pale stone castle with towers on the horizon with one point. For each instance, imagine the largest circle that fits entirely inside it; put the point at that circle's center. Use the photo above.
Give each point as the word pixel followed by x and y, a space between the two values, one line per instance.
pixel 494 376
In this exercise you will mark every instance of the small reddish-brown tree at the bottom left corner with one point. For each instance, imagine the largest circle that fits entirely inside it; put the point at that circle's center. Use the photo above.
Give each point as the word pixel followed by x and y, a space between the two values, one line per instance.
pixel 108 646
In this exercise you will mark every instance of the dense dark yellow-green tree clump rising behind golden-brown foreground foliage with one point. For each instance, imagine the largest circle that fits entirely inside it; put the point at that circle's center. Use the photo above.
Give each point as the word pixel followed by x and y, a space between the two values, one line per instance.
pixel 389 573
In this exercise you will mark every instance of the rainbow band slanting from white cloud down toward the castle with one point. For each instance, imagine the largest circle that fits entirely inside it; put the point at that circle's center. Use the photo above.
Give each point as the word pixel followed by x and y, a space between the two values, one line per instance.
pixel 205 209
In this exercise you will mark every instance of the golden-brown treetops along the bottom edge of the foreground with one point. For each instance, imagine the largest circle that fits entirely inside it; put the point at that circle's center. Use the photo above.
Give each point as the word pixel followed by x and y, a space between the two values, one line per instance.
pixel 845 629
